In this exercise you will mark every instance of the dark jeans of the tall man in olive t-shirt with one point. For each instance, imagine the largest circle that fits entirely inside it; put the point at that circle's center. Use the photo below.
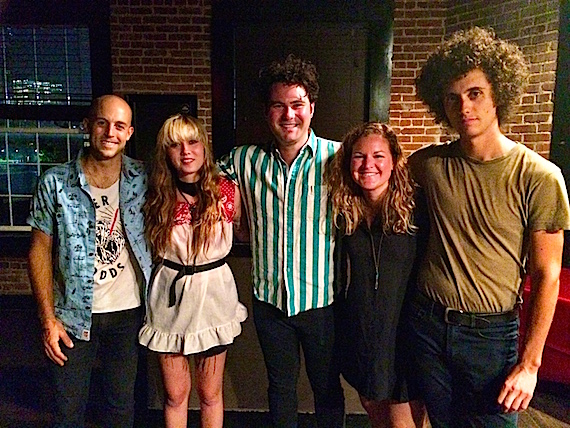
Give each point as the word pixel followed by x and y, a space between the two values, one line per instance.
pixel 459 371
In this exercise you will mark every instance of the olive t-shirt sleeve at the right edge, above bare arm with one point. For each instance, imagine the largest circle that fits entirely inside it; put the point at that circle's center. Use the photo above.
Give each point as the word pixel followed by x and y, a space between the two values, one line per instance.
pixel 548 202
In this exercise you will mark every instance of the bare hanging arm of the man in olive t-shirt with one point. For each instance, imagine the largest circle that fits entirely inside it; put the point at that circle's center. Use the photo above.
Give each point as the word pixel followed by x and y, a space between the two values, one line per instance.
pixel 545 263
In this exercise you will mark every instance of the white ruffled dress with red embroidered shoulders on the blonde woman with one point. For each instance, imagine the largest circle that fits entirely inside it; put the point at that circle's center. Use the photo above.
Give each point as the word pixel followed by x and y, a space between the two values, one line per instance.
pixel 207 312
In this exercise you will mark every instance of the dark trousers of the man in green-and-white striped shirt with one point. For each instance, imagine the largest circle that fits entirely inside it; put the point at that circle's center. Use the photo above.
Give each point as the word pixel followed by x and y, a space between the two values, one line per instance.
pixel 280 338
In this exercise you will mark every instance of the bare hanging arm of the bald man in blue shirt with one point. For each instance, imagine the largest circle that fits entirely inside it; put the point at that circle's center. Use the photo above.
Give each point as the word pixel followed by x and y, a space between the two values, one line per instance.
pixel 41 276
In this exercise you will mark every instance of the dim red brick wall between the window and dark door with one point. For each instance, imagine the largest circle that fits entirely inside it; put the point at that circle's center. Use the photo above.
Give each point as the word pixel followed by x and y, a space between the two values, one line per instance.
pixel 163 46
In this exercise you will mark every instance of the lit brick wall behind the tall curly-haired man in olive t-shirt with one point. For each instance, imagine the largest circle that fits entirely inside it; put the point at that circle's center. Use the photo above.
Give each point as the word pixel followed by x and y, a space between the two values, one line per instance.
pixel 420 25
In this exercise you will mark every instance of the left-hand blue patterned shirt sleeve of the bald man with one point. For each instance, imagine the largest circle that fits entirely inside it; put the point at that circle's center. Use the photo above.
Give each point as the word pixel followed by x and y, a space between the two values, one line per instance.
pixel 42 208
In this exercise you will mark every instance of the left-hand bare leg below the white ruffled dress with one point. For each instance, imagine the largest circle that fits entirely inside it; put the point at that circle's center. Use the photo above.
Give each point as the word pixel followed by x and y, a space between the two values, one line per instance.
pixel 177 382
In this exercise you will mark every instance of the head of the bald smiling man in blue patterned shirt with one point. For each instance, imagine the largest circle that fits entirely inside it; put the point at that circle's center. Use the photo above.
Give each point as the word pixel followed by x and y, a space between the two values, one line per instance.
pixel 109 128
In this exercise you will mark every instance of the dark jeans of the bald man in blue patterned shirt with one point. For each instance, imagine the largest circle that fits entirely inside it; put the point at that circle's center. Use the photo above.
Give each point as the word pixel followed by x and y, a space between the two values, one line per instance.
pixel 114 340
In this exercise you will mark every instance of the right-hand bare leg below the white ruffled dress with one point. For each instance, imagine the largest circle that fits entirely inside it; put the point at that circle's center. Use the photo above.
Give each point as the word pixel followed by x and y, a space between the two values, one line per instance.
pixel 209 384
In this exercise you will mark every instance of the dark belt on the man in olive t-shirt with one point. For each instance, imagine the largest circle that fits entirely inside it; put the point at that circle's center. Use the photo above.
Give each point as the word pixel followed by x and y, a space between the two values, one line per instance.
pixel 467 319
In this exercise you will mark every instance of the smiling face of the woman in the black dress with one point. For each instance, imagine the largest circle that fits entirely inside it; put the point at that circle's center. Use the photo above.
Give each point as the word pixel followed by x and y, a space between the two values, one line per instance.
pixel 371 165
